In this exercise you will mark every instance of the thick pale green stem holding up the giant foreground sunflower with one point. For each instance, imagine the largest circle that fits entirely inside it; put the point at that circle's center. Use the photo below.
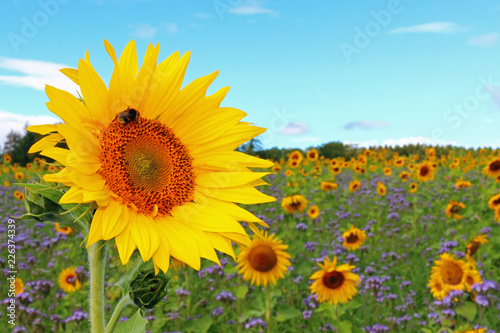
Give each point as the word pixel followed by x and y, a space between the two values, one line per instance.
pixel 97 263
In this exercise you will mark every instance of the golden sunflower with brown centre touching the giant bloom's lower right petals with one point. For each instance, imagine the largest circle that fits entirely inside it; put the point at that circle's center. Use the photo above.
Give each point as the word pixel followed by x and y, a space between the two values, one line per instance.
pixel 265 261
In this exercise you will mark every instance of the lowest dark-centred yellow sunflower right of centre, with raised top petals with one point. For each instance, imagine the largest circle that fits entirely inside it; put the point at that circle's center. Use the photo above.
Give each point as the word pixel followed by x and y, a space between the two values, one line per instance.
pixel 334 284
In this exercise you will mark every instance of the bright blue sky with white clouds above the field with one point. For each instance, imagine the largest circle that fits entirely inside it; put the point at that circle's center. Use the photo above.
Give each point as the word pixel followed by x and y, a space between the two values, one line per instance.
pixel 364 72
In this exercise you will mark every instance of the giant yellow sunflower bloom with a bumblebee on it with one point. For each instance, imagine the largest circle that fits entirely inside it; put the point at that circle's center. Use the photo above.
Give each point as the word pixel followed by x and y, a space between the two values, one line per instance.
pixel 159 163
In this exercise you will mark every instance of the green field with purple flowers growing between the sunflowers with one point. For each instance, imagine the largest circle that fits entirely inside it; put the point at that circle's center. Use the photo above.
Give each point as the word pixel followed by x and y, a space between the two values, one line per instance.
pixel 406 234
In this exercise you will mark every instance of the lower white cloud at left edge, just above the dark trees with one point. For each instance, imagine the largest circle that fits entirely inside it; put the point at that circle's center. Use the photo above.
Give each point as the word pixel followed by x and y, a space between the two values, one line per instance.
pixel 12 121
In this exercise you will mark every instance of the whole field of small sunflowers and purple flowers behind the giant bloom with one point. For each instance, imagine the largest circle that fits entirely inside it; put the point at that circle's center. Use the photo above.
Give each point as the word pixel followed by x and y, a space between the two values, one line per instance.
pixel 377 243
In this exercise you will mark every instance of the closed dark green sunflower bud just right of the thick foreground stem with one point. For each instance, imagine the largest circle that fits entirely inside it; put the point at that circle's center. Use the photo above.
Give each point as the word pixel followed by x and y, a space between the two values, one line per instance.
pixel 148 289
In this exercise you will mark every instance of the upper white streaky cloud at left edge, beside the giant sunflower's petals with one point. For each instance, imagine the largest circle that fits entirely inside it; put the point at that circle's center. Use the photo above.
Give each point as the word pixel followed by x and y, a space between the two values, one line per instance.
pixel 36 74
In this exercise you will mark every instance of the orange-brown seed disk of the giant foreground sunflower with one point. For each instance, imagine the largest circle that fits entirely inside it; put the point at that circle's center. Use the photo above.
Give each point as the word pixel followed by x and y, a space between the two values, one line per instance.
pixel 146 165
